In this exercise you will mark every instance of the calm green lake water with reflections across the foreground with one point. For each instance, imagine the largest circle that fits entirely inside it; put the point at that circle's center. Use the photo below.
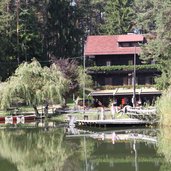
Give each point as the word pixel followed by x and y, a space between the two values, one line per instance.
pixel 52 147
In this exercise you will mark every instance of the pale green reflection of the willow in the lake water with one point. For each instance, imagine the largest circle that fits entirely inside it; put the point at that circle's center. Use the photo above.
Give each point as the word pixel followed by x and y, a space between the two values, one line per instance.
pixel 31 150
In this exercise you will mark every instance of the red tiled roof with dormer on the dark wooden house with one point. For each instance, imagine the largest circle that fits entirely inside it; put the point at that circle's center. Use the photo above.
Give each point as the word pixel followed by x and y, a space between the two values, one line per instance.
pixel 108 45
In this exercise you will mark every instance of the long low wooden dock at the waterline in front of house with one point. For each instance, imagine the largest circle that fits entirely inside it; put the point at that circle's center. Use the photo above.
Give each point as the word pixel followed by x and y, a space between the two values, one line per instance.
pixel 110 122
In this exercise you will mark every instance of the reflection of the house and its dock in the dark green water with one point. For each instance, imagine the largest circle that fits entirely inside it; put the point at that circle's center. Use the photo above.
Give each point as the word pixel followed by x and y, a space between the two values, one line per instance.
pixel 131 149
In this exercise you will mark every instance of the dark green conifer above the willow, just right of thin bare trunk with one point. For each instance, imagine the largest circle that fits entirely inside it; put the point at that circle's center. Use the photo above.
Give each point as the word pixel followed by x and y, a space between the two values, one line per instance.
pixel 30 40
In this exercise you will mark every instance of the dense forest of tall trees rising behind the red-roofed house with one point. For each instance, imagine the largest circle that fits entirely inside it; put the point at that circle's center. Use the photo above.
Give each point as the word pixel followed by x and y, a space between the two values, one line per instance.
pixel 58 29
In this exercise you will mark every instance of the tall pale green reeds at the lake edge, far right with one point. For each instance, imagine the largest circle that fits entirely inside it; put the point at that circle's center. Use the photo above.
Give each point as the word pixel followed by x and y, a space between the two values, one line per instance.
pixel 164 108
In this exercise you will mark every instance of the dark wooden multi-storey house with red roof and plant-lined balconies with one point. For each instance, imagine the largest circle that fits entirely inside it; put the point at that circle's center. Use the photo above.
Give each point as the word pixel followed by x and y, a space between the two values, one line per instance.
pixel 112 61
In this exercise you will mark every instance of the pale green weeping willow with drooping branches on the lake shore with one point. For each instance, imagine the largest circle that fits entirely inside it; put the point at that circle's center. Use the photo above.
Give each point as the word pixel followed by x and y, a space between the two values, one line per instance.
pixel 34 84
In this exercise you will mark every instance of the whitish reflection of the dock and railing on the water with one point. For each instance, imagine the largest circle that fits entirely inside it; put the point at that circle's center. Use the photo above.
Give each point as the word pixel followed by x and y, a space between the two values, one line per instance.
pixel 146 135
